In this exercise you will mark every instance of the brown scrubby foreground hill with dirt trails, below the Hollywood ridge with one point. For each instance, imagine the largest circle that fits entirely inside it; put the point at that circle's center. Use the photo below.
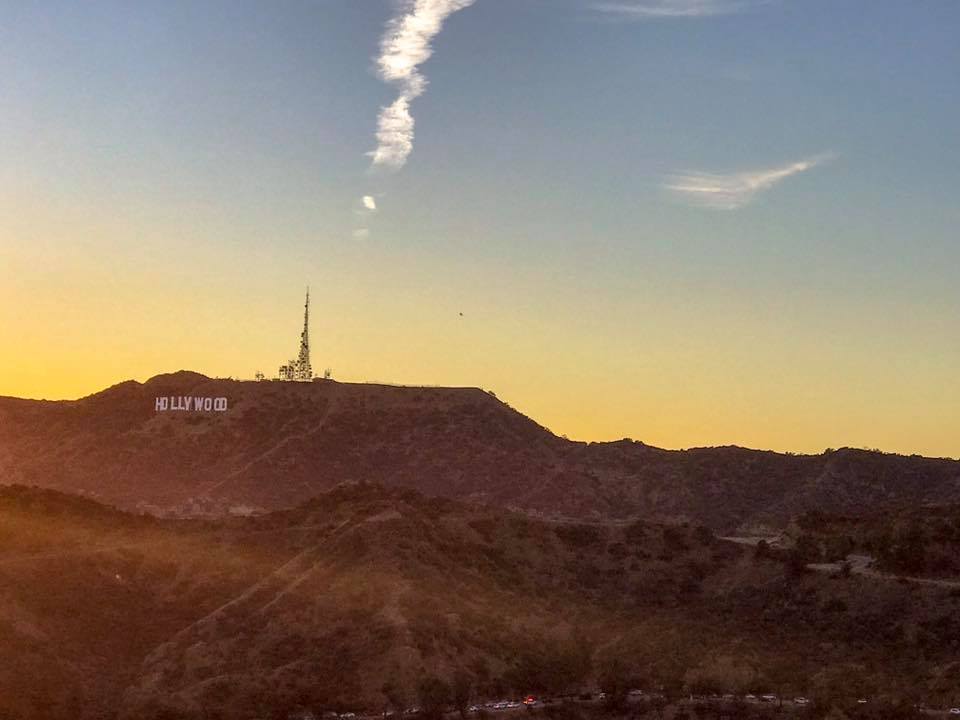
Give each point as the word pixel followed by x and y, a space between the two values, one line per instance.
pixel 351 600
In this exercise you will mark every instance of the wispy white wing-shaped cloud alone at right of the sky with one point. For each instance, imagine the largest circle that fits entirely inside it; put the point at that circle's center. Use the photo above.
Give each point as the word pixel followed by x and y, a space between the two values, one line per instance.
pixel 732 192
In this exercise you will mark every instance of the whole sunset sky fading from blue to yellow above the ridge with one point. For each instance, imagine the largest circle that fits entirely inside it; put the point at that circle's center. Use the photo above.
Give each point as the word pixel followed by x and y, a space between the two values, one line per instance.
pixel 172 174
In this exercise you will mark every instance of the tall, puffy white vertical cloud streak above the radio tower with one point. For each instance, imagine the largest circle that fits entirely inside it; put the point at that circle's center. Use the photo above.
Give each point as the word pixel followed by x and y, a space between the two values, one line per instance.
pixel 404 47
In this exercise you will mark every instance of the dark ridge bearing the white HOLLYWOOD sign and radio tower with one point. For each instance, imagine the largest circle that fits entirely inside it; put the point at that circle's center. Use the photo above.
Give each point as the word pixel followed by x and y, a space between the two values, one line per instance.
pixel 279 444
